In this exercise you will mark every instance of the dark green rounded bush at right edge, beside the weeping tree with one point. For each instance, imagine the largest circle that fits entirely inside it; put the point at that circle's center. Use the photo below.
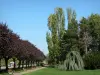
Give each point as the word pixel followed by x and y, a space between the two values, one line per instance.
pixel 92 60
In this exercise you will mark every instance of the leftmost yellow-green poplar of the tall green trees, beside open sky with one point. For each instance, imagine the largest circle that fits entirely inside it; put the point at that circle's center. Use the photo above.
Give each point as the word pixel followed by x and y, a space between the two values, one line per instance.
pixel 52 23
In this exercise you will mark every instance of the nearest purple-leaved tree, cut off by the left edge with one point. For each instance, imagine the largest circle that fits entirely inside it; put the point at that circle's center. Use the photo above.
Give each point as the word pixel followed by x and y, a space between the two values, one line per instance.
pixel 5 43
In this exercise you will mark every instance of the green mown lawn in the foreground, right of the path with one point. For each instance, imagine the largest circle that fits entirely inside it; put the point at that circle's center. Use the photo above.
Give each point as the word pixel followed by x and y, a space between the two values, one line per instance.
pixel 52 71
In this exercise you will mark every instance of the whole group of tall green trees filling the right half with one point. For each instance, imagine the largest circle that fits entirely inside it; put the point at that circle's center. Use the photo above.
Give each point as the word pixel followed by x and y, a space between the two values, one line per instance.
pixel 80 36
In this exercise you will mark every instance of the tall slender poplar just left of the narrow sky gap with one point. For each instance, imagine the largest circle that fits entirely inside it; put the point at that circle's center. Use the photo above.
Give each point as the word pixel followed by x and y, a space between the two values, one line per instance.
pixel 61 30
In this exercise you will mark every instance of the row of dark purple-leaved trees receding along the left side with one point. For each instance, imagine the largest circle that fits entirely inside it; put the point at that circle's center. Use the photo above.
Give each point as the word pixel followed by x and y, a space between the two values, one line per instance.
pixel 11 46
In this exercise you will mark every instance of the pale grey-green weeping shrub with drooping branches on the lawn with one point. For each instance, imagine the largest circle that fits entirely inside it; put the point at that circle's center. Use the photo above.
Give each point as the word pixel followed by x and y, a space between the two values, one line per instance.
pixel 73 62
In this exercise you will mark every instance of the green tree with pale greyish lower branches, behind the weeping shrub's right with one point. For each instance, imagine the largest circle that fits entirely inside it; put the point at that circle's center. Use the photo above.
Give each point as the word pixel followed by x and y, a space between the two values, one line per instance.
pixel 85 37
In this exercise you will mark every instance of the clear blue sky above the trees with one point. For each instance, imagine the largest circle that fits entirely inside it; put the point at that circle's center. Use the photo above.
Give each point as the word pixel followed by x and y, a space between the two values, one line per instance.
pixel 29 18
